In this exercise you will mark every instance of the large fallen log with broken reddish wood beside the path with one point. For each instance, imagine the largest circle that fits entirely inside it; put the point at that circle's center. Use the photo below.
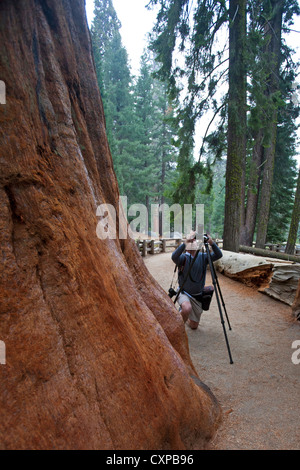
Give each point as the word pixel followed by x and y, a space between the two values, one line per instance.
pixel 277 279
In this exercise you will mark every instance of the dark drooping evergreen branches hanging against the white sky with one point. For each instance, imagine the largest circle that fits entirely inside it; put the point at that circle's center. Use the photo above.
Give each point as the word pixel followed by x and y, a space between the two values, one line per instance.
pixel 192 81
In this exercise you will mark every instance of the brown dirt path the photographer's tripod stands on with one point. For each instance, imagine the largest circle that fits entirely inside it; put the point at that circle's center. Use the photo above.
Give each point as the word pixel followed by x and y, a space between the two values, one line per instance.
pixel 260 392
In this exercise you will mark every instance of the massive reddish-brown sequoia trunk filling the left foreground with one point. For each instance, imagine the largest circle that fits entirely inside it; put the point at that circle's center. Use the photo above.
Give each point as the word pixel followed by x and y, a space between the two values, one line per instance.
pixel 96 354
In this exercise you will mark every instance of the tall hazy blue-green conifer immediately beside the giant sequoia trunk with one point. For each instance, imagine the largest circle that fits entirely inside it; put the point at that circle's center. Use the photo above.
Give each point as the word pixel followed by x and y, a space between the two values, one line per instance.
pixel 115 83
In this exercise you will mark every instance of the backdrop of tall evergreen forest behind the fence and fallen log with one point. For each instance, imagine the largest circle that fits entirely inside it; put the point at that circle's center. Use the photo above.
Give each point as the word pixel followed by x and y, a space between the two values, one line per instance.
pixel 222 67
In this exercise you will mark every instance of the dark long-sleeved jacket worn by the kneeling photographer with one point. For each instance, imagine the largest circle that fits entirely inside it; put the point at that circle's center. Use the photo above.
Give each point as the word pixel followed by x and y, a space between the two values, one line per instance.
pixel 196 280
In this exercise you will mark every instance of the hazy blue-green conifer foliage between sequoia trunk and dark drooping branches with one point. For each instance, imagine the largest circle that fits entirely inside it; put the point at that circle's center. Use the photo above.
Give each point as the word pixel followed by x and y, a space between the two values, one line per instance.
pixel 138 116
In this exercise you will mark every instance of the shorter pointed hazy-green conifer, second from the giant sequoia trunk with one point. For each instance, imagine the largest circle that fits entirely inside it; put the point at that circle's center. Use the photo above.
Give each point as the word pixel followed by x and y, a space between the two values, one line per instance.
pixel 156 153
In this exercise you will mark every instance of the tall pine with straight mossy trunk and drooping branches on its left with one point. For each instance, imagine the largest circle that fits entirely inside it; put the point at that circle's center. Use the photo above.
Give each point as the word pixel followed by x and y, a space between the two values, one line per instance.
pixel 202 74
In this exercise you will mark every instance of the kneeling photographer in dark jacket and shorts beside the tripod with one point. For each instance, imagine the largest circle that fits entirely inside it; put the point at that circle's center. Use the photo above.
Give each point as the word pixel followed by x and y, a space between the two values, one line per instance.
pixel 194 281
